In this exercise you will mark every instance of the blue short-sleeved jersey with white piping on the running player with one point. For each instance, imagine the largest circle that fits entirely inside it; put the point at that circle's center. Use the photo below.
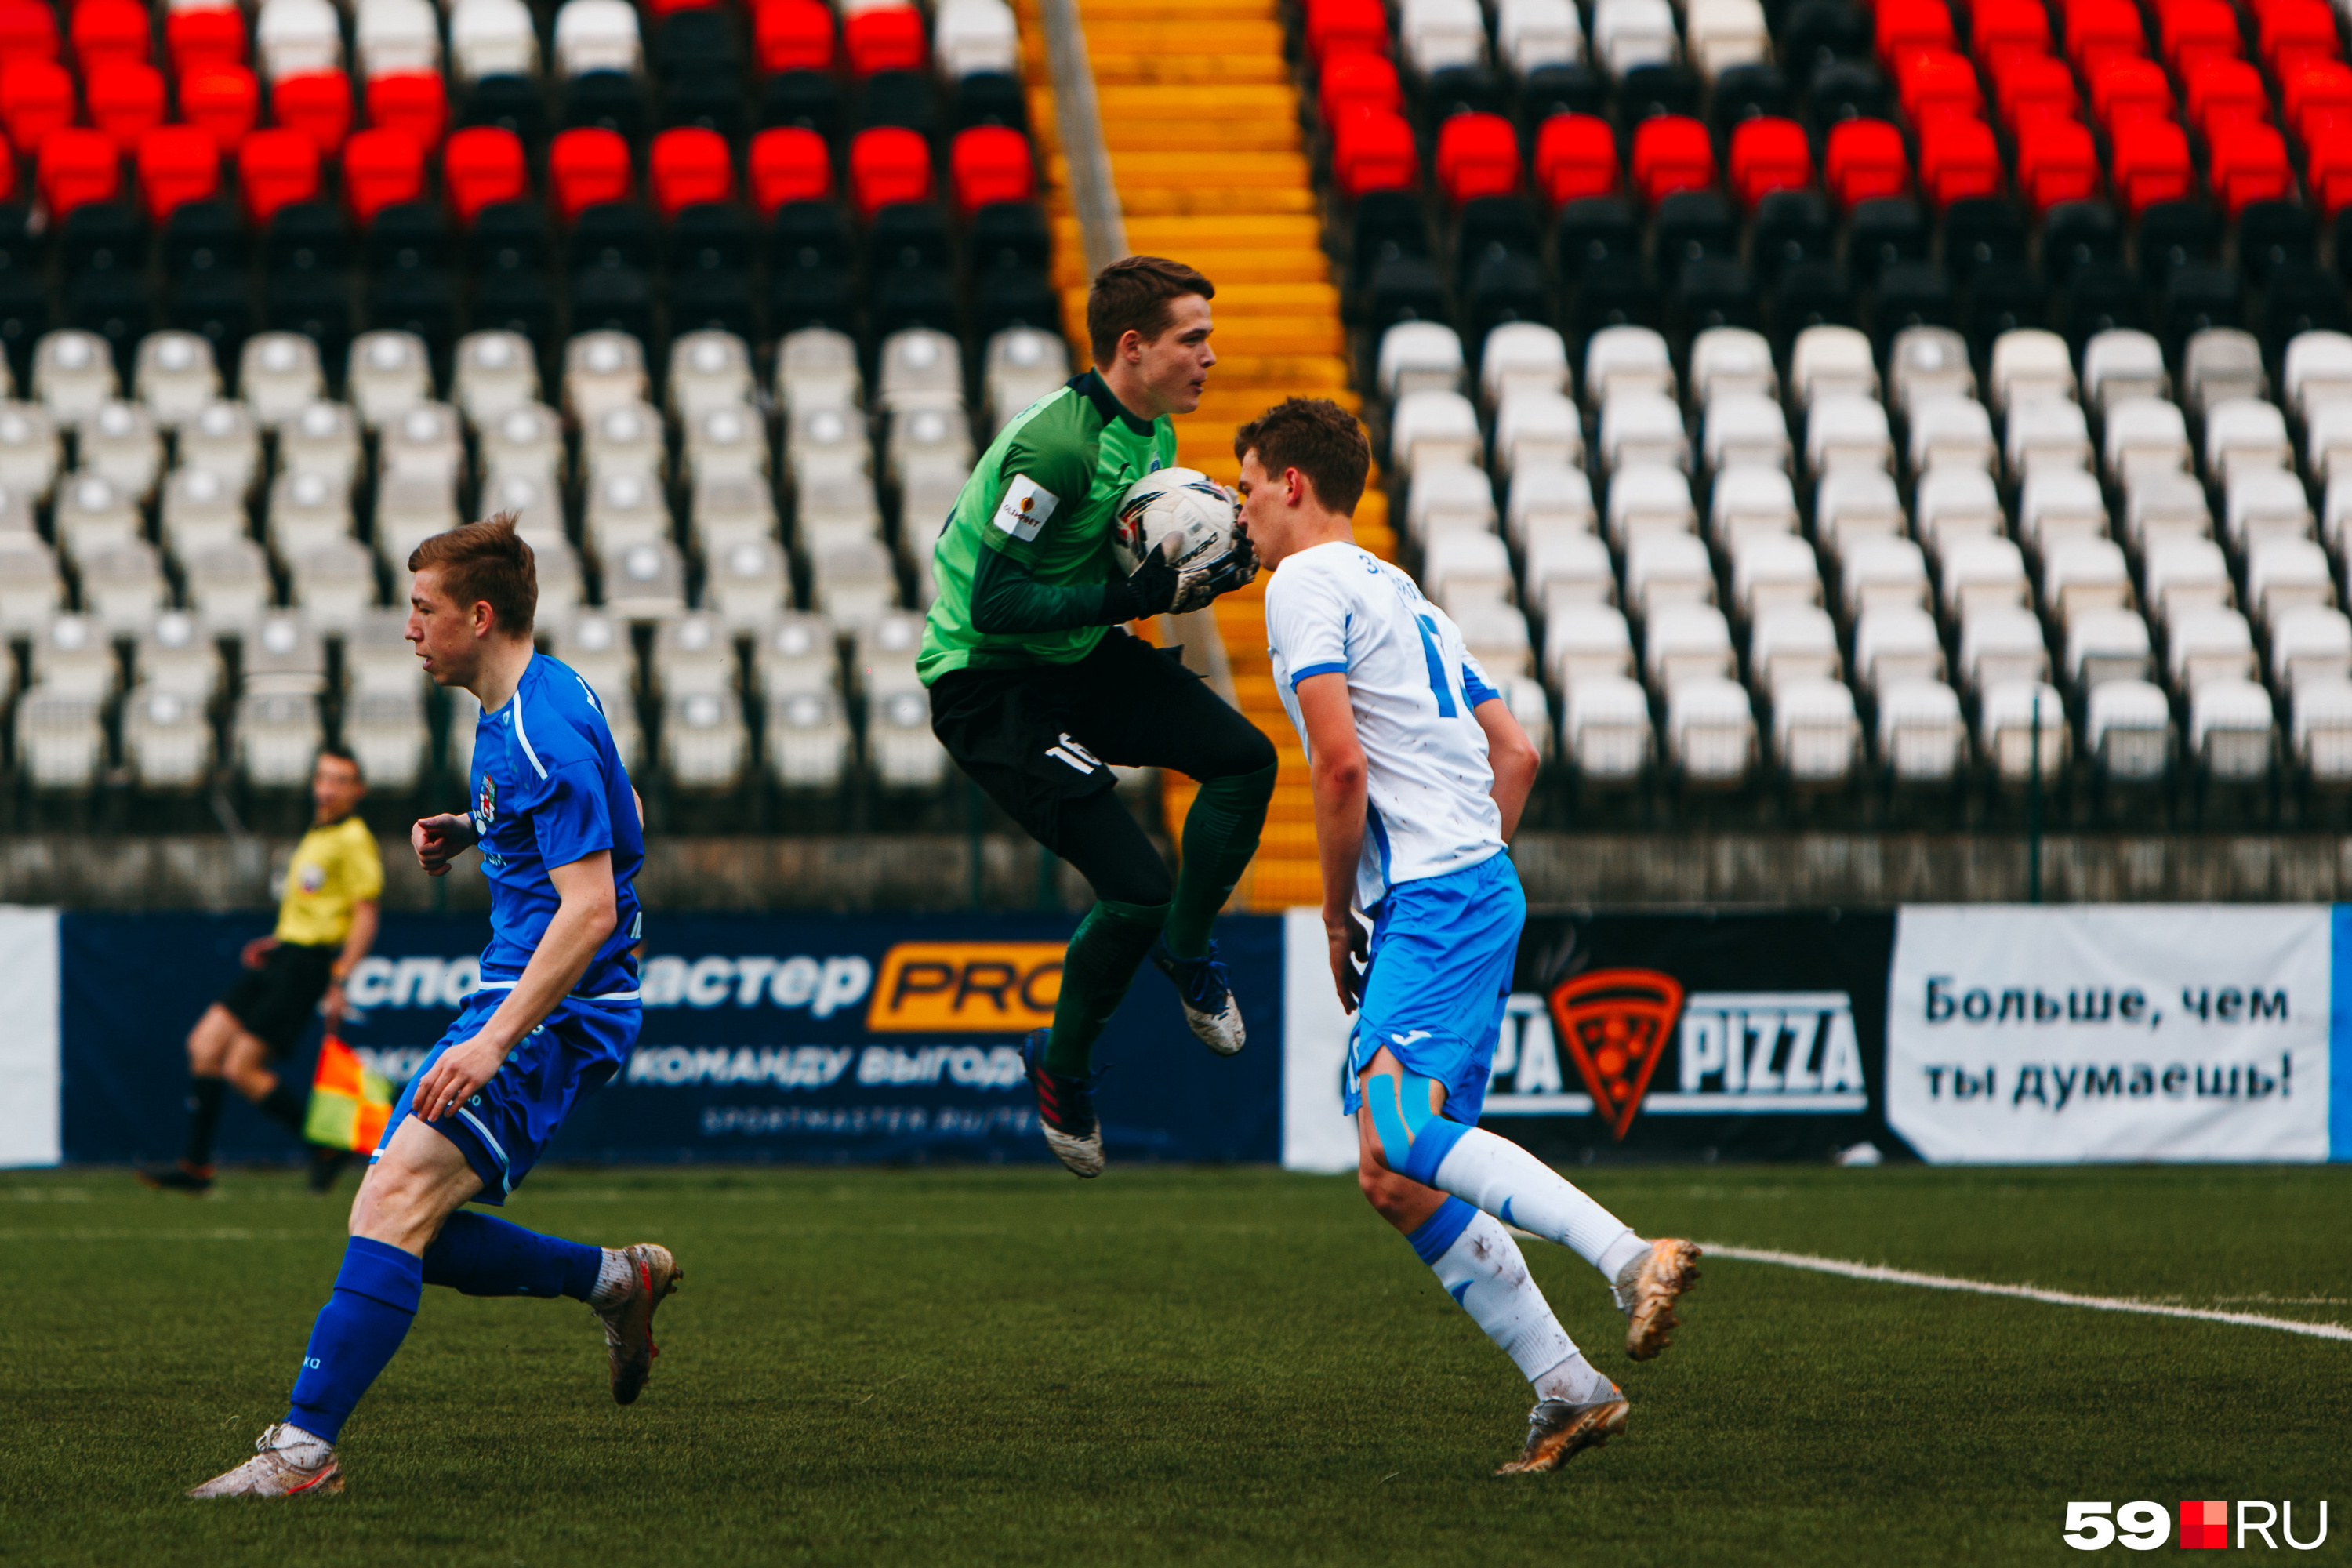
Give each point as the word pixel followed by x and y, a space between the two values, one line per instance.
pixel 549 789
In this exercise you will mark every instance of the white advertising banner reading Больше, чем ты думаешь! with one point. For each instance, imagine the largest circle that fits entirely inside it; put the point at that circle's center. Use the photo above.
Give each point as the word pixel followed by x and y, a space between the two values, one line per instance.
pixel 2043 1036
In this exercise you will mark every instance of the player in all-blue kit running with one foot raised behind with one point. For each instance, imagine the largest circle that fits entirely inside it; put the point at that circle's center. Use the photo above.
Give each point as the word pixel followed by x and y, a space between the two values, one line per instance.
pixel 556 1017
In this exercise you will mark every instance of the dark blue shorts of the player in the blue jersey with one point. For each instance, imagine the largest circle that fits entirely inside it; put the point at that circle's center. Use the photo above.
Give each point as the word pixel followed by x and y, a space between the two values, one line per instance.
pixel 509 1123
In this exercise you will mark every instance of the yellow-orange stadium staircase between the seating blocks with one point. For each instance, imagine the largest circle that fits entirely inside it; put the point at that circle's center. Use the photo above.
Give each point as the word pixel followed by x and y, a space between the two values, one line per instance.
pixel 1201 119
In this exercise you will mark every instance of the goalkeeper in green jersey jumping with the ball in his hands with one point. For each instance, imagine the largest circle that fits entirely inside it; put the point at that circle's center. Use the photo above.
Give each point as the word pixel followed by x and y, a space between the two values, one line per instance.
pixel 1038 688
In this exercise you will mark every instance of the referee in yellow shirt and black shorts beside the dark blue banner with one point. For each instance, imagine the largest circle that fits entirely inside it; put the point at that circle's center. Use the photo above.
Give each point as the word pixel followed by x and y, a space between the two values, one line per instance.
pixel 326 925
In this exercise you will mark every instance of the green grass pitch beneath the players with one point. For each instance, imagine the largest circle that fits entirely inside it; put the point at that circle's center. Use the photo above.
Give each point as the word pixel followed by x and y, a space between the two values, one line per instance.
pixel 1182 1367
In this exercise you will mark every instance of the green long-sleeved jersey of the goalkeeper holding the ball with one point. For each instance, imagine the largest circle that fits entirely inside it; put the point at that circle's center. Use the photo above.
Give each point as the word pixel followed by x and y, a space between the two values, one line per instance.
pixel 1024 568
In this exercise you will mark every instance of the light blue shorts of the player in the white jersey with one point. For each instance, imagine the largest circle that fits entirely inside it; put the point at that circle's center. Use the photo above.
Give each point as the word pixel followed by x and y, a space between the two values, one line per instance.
pixel 1438 977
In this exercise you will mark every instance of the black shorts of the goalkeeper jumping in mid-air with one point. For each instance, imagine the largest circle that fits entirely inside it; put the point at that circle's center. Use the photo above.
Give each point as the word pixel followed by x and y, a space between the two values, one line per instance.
pixel 1048 735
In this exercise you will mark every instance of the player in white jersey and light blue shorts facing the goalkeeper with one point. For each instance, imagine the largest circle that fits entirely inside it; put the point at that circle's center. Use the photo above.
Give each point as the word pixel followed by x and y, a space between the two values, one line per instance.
pixel 1419 779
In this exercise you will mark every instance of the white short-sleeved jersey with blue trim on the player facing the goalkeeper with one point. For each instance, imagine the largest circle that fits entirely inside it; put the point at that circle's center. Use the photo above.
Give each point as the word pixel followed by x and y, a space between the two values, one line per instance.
pixel 1412 685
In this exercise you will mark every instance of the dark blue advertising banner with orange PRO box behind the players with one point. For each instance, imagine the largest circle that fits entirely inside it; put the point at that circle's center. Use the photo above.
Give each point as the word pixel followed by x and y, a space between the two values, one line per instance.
pixel 766 1040
